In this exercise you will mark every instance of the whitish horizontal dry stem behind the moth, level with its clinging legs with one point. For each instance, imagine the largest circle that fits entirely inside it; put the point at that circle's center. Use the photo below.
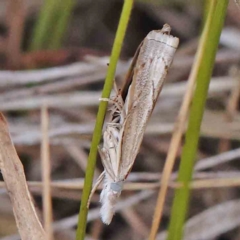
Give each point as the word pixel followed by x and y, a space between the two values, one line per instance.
pixel 87 99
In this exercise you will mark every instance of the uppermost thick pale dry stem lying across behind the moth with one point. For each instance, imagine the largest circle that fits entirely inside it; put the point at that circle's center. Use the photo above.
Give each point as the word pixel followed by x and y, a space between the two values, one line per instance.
pixel 19 78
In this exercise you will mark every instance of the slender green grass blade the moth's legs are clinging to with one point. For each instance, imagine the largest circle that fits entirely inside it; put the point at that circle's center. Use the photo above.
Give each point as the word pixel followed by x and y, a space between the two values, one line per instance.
pixel 124 19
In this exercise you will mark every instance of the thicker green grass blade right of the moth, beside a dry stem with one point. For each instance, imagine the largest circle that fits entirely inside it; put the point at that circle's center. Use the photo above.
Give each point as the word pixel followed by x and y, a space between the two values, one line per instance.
pixel 202 70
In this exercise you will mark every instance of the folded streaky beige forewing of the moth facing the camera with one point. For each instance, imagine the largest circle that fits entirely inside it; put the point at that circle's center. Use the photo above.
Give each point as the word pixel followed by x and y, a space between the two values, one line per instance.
pixel 155 57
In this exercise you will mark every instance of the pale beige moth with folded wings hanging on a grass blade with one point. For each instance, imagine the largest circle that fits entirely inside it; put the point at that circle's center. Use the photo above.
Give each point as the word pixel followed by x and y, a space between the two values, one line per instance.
pixel 130 113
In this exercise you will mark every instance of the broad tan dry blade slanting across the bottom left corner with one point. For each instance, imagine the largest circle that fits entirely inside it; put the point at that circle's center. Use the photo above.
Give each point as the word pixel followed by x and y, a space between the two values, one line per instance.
pixel 12 170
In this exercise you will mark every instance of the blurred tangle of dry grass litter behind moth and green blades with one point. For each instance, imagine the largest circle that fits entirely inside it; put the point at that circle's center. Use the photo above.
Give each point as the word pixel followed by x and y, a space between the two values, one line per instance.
pixel 56 53
